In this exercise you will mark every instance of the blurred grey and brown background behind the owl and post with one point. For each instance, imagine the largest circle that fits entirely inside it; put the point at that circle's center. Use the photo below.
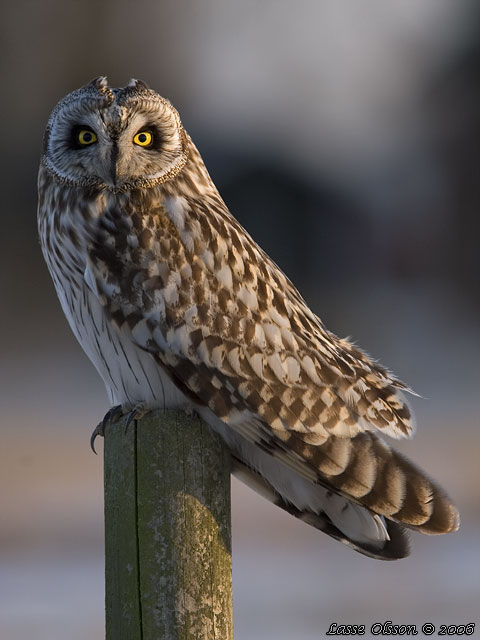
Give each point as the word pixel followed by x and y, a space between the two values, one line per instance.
pixel 344 135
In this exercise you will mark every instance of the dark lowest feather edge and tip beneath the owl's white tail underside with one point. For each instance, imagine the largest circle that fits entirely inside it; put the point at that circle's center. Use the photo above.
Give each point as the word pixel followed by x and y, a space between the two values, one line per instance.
pixel 395 546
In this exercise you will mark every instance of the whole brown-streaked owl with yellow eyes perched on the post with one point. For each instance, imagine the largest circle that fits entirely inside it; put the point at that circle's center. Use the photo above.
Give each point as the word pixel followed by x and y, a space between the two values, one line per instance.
pixel 178 307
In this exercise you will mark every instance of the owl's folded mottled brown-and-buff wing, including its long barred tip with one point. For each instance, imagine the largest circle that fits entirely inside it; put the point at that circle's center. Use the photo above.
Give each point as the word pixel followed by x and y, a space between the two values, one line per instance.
pixel 230 329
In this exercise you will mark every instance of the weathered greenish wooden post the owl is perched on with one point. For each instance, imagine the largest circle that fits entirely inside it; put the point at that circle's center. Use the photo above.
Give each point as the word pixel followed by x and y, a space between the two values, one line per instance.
pixel 167 530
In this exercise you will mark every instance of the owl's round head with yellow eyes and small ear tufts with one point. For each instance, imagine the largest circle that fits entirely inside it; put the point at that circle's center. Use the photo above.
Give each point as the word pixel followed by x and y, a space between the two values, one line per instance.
pixel 116 139
